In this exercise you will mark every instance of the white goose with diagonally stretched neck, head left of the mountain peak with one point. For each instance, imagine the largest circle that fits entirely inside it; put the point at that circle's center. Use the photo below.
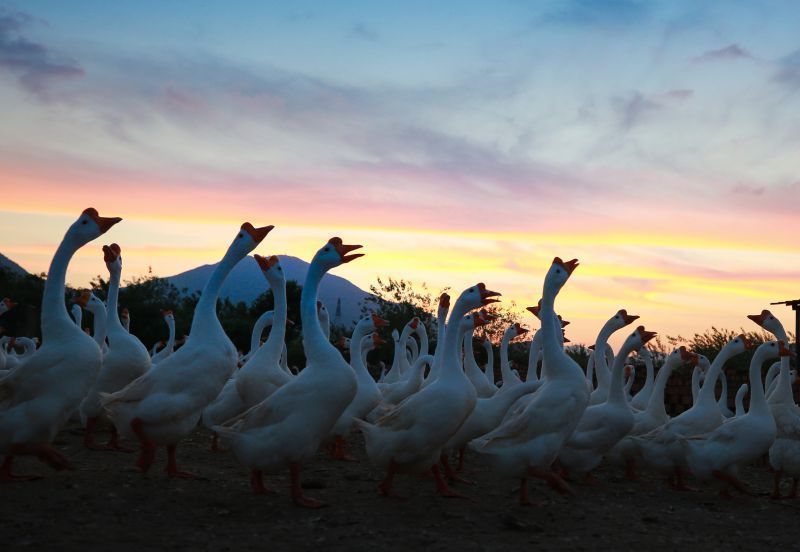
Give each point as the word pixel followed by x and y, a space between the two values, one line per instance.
pixel 164 405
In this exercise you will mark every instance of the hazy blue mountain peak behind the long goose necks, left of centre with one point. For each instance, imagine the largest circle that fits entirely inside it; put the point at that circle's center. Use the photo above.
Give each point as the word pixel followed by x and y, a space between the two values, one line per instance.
pixel 246 282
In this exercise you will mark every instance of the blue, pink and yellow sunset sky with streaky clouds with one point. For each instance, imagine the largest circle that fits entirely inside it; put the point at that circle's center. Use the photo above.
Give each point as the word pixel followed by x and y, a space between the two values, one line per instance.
pixel 658 142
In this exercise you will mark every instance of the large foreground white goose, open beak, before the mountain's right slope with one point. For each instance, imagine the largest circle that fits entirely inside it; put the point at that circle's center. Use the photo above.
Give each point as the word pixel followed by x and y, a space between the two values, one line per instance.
pixel 288 427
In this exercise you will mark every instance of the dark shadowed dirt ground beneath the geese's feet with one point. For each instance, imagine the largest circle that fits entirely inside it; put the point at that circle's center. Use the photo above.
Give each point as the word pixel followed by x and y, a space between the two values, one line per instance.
pixel 105 504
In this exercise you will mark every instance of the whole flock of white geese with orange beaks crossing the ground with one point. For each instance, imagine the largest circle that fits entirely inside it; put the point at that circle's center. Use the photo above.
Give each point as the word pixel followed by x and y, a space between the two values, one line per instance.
pixel 559 423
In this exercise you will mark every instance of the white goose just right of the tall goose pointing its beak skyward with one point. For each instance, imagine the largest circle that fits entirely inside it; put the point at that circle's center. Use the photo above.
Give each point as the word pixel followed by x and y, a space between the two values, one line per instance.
pixel 603 425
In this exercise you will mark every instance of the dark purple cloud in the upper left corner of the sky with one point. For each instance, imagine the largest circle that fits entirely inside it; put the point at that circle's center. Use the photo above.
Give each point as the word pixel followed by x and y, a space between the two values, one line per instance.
pixel 33 64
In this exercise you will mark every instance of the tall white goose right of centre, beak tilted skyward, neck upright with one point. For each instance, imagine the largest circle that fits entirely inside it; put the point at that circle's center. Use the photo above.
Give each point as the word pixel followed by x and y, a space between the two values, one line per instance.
pixel 526 444
